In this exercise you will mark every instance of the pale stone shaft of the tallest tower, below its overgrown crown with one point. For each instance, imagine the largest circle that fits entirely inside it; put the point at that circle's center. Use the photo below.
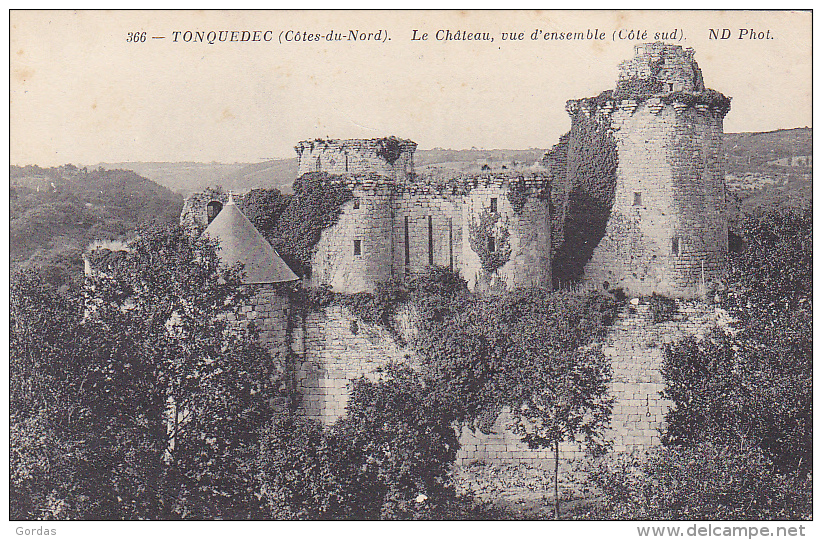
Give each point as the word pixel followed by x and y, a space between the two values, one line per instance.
pixel 668 220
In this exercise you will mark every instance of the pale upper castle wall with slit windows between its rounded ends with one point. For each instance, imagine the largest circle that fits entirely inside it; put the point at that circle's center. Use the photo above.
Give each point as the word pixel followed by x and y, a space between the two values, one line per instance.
pixel 392 231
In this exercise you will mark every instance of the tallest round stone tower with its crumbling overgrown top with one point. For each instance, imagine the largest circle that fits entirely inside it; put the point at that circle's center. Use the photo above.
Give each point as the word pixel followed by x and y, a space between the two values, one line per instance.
pixel 667 229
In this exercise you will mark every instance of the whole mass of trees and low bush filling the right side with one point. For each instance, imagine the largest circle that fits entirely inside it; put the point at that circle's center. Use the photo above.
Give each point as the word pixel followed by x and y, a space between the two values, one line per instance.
pixel 739 436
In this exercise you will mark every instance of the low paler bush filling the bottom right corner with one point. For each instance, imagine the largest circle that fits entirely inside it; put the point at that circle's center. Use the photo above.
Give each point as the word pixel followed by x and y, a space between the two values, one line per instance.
pixel 705 482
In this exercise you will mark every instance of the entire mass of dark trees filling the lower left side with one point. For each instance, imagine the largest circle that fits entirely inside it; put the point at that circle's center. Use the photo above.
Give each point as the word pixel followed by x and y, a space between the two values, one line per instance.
pixel 98 377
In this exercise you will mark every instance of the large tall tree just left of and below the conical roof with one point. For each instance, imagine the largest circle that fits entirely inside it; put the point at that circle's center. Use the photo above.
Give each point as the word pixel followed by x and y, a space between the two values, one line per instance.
pixel 167 349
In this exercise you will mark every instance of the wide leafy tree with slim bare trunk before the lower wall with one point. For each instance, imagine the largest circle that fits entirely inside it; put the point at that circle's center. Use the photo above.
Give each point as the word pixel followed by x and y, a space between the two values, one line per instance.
pixel 528 350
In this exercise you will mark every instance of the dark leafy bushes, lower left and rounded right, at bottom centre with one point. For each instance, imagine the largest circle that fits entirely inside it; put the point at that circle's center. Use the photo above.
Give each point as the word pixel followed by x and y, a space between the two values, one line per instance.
pixel 388 458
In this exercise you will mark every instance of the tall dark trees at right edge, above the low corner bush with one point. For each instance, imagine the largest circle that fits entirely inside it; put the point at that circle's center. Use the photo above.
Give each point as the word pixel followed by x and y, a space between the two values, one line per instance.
pixel 750 386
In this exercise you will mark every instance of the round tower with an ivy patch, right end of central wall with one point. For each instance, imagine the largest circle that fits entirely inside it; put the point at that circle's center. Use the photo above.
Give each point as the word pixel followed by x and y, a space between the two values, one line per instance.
pixel 506 232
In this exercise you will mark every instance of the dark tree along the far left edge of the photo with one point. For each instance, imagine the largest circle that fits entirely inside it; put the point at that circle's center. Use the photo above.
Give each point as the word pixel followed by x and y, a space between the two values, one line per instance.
pixel 45 371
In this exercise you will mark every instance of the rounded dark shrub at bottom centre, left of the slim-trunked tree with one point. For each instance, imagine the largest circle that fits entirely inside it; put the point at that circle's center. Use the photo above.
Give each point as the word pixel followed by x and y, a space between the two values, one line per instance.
pixel 402 445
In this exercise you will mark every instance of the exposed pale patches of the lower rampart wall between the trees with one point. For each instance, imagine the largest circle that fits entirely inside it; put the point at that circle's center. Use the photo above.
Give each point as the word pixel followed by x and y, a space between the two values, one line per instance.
pixel 334 352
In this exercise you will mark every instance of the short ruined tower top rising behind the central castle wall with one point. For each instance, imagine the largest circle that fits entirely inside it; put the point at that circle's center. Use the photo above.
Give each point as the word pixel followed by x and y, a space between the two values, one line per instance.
pixel 389 157
